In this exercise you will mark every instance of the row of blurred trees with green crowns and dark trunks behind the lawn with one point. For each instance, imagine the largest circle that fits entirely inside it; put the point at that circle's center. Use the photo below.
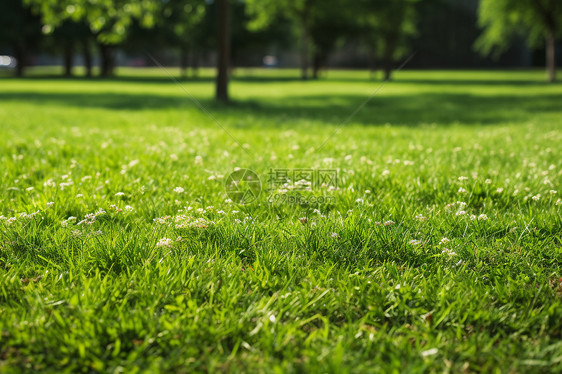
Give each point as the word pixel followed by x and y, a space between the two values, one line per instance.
pixel 192 28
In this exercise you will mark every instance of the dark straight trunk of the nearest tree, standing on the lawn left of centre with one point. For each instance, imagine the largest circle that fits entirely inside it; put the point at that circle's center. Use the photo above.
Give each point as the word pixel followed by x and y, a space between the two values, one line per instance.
pixel 223 51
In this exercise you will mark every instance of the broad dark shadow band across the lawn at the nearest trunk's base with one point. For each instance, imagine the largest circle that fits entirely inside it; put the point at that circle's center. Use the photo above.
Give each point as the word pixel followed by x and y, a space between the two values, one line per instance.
pixel 406 109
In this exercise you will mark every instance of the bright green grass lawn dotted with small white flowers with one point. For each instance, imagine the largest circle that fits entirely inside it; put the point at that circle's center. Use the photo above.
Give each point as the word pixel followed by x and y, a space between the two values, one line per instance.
pixel 437 248
